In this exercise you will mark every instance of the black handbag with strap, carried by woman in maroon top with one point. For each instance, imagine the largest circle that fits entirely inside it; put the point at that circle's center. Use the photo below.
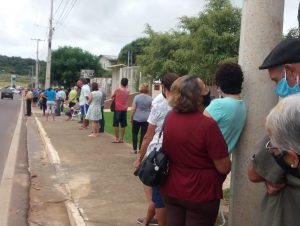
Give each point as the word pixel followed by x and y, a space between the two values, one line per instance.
pixel 154 168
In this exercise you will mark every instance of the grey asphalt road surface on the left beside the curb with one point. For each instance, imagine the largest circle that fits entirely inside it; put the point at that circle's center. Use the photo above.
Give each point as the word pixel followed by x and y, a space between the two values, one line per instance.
pixel 18 201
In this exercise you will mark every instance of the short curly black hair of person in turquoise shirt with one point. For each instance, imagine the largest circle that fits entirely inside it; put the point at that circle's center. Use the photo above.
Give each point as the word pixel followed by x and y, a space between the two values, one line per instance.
pixel 229 77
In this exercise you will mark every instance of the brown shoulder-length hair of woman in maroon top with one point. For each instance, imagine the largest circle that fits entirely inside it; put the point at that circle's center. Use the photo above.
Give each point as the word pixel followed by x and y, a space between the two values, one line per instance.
pixel 186 94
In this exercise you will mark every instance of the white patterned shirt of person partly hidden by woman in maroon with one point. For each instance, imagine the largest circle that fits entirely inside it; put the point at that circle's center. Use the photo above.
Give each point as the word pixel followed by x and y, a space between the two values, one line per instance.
pixel 159 110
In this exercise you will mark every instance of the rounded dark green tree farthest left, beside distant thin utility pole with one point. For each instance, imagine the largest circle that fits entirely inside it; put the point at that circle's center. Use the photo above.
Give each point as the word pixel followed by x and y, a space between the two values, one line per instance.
pixel 67 63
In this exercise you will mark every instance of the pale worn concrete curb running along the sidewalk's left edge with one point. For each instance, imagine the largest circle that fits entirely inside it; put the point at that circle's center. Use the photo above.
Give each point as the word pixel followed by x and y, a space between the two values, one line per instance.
pixel 74 214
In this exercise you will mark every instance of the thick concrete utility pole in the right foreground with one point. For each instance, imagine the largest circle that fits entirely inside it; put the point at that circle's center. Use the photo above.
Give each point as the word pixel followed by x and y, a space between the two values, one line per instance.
pixel 261 30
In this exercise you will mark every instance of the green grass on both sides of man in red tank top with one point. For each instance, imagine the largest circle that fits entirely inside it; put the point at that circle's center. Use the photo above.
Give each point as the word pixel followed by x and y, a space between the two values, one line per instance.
pixel 110 129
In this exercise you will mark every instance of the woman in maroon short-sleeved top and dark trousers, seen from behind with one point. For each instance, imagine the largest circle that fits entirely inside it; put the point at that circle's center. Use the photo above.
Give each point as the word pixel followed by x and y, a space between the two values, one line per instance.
pixel 198 158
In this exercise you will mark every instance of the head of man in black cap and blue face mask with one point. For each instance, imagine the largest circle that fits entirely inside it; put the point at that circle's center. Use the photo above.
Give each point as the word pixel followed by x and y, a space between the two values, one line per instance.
pixel 283 63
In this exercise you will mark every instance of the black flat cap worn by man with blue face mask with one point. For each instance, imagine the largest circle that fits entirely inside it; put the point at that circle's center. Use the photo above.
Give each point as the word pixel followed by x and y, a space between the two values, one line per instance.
pixel 286 52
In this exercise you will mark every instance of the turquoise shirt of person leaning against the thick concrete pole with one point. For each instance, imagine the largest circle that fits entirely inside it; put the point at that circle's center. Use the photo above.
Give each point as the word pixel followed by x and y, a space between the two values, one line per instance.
pixel 230 115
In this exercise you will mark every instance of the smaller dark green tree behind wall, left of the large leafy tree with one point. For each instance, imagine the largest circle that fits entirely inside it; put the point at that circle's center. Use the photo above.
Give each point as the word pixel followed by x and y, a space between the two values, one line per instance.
pixel 135 48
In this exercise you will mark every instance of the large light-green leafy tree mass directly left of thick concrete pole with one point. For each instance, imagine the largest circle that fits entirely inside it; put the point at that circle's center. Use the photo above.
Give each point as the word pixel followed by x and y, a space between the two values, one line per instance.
pixel 199 45
